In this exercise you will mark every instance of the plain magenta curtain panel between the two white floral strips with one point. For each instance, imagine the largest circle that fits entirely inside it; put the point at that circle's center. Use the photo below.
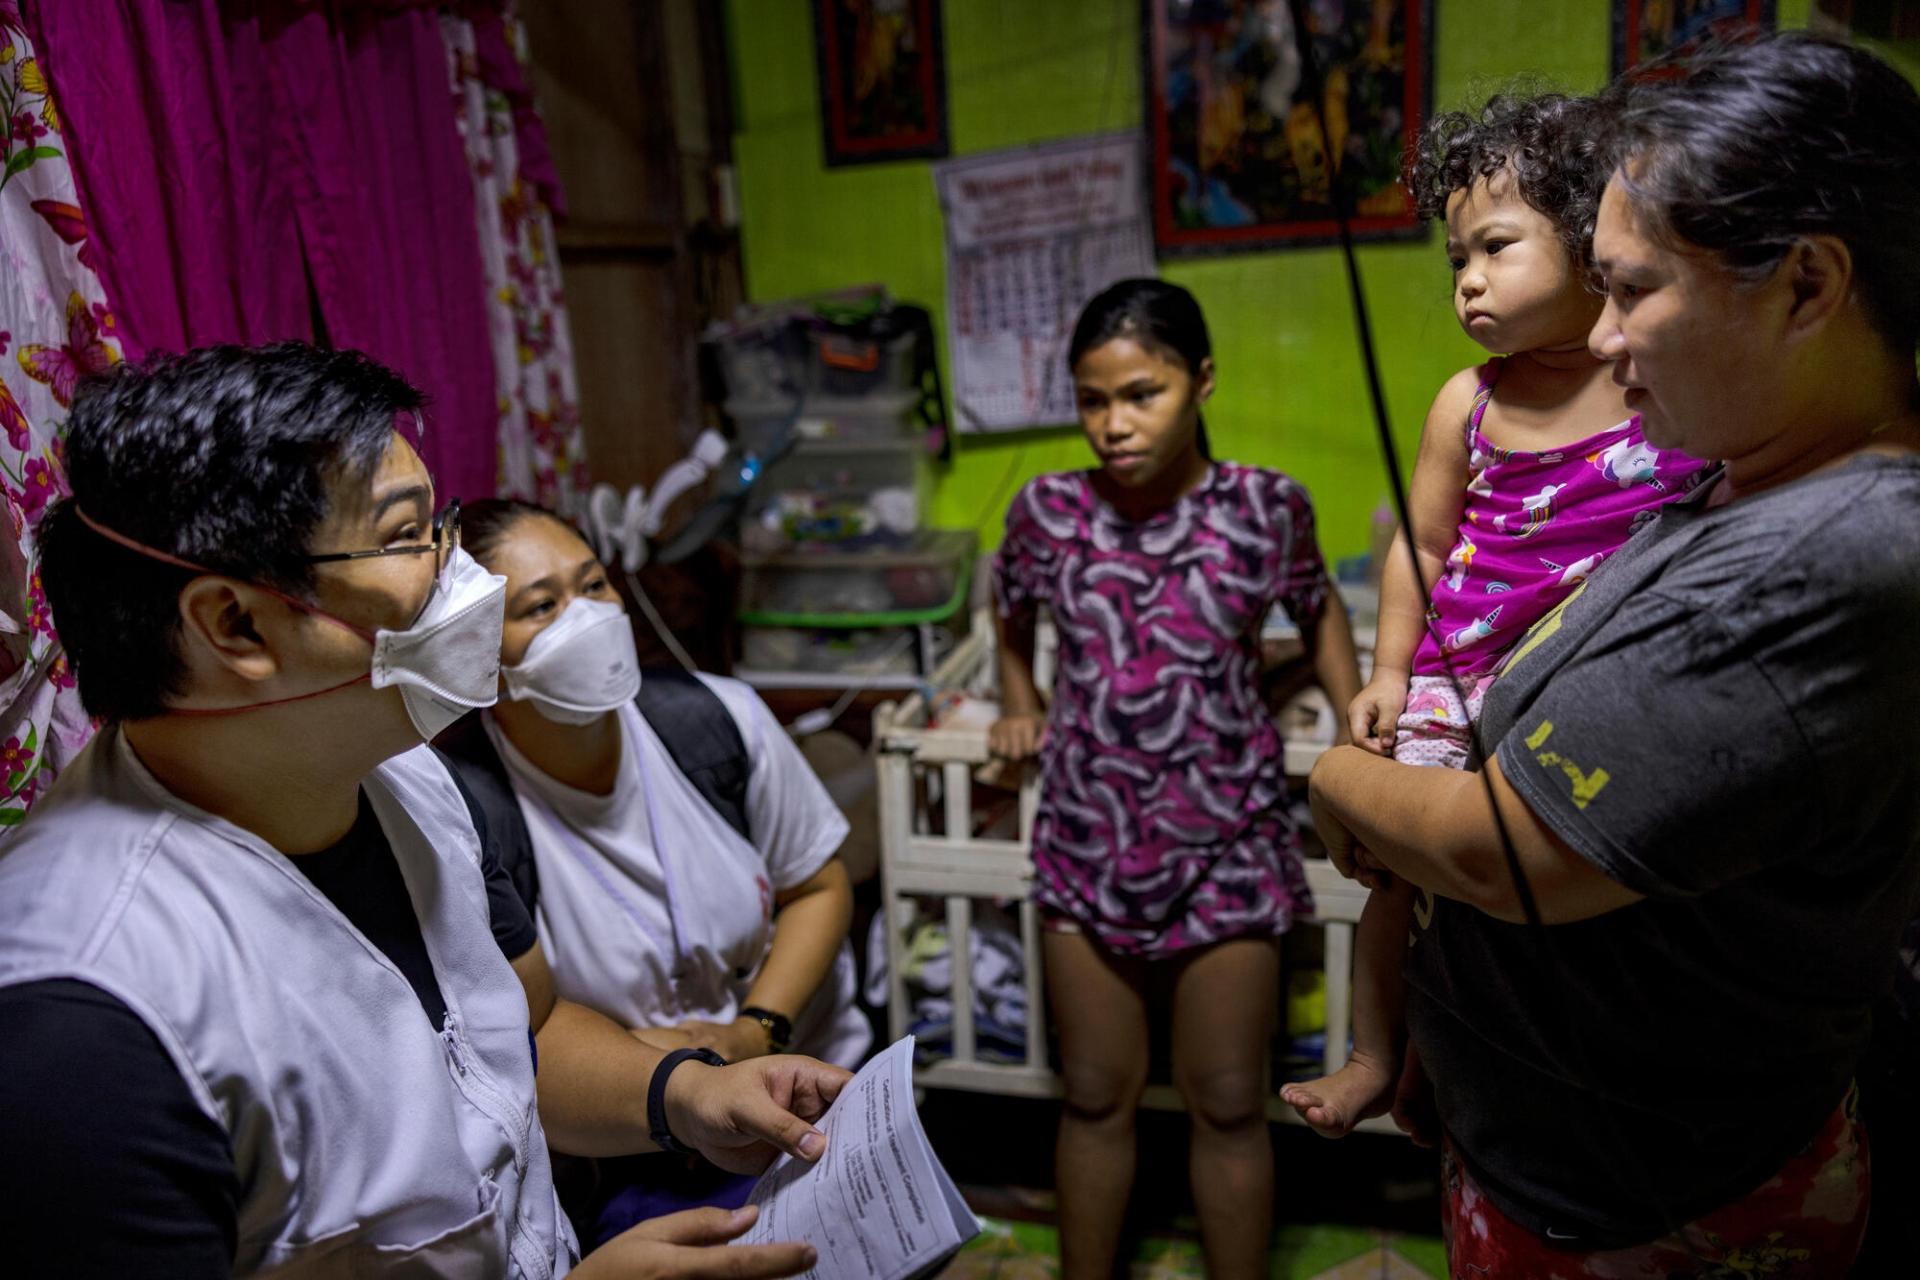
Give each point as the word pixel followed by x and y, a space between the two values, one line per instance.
pixel 283 170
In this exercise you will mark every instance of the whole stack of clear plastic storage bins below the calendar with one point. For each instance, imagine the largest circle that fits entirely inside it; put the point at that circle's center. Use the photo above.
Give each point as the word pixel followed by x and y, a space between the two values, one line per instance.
pixel 842 581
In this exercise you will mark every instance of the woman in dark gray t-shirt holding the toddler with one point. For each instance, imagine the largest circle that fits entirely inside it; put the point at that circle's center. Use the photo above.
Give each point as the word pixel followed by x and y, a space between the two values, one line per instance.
pixel 1696 759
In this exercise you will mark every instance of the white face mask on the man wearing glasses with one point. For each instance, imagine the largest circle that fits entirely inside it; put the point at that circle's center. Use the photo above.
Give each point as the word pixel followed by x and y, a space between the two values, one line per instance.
pixel 448 661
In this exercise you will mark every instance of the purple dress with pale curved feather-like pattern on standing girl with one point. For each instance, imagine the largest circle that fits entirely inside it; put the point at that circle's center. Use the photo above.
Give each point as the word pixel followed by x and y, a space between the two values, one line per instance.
pixel 1163 824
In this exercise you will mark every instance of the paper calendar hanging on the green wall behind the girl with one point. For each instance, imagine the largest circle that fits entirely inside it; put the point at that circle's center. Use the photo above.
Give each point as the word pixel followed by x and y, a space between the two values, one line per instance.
pixel 1032 235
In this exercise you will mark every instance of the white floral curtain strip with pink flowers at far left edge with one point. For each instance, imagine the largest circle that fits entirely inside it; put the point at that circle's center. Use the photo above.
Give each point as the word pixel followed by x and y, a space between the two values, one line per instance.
pixel 55 327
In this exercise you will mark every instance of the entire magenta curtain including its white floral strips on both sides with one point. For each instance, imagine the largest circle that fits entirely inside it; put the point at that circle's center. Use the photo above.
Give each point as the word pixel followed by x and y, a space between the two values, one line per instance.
pixel 256 178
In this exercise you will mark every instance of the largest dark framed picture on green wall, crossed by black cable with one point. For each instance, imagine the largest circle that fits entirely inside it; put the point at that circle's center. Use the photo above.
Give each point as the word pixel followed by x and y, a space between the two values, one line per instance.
pixel 1239 151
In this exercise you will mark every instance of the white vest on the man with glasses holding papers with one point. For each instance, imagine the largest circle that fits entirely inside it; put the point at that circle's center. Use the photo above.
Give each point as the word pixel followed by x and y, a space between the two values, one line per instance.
pixel 364 1143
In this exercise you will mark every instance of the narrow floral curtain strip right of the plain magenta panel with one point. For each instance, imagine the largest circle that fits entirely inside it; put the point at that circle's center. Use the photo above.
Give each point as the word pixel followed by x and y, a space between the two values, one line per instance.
pixel 542 452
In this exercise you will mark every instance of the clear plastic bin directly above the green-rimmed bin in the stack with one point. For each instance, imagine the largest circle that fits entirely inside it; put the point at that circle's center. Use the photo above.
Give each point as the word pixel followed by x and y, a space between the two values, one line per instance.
pixel 852 494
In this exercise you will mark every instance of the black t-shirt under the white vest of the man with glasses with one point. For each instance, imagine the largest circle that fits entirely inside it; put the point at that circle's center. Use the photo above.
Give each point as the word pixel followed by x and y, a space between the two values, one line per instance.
pixel 112 1170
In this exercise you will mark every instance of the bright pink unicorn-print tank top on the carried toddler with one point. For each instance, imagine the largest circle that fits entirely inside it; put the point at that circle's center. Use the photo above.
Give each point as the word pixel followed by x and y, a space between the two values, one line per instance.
pixel 1533 529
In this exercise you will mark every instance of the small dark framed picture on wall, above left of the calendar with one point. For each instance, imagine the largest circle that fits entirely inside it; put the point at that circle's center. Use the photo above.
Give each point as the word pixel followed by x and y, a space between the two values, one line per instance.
pixel 882 80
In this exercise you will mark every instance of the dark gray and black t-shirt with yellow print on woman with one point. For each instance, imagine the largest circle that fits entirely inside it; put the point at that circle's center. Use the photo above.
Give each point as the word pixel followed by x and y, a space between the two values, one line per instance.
pixel 1721 721
